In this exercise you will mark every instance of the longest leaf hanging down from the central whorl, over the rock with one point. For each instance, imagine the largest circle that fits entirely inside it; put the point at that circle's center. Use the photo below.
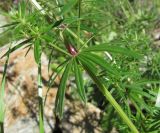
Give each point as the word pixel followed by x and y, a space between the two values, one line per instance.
pixel 59 105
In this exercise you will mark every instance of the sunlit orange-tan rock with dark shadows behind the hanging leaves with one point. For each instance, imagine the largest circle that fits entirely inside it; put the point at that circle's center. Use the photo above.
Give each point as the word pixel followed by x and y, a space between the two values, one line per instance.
pixel 22 101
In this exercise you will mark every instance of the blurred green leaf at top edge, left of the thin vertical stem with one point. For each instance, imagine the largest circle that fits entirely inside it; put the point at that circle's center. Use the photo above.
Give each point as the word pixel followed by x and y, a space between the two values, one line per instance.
pixel 67 7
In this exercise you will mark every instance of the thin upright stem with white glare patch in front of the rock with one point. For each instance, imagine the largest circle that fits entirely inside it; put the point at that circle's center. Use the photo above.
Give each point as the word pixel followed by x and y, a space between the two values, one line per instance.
pixel 40 98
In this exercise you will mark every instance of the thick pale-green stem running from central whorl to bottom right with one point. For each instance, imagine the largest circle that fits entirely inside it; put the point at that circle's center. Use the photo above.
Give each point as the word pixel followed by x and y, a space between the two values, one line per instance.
pixel 109 97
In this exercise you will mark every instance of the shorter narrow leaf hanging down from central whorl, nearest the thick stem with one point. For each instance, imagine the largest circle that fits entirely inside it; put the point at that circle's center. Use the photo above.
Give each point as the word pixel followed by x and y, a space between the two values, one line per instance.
pixel 79 82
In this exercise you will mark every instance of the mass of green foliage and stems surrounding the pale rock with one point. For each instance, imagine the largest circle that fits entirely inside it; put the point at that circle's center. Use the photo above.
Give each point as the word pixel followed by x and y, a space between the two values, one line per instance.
pixel 111 41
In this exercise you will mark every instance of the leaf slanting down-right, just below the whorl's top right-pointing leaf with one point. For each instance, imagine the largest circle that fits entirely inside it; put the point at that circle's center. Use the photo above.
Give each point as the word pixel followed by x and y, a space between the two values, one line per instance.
pixel 101 62
